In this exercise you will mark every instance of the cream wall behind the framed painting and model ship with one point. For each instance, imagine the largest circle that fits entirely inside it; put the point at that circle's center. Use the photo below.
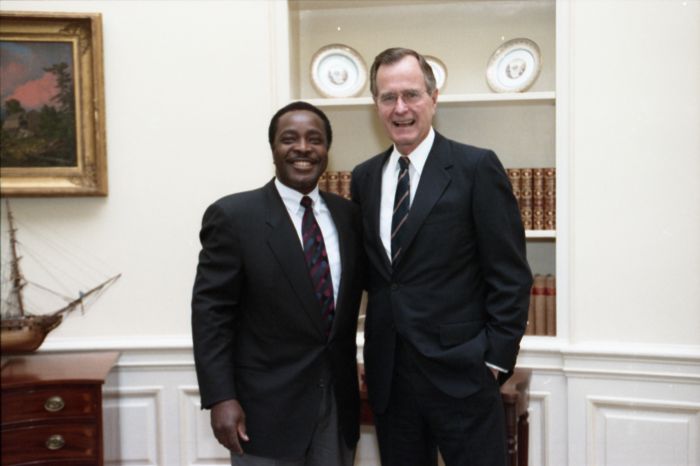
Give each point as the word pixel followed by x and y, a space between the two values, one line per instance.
pixel 188 97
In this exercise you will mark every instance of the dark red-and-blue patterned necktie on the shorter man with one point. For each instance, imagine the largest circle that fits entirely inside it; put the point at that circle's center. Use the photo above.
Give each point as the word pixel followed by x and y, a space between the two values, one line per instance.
pixel 317 262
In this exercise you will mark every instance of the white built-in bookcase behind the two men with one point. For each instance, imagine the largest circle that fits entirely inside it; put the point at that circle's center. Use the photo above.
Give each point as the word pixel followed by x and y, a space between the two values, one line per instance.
pixel 522 128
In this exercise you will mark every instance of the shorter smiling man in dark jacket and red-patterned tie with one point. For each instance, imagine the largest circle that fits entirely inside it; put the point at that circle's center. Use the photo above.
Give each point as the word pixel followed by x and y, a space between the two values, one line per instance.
pixel 274 308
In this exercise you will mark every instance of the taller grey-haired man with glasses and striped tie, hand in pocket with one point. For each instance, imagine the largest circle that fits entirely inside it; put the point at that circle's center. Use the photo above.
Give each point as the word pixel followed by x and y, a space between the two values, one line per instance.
pixel 448 280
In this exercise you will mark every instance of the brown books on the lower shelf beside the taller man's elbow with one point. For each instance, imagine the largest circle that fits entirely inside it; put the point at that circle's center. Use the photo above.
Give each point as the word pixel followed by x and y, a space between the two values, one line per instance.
pixel 542 313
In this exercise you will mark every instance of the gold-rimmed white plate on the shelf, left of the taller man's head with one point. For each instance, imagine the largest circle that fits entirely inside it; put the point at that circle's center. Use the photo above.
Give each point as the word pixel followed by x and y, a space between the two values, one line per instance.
pixel 338 71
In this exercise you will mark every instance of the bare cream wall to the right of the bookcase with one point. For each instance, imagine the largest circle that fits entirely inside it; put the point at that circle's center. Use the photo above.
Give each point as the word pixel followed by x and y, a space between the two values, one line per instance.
pixel 635 151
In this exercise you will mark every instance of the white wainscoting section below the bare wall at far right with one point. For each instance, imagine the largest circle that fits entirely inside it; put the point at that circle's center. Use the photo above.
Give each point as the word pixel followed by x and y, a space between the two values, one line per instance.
pixel 633 410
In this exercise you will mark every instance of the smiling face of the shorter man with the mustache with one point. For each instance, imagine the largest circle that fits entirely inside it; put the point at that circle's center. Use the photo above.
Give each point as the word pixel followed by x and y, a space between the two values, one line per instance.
pixel 300 150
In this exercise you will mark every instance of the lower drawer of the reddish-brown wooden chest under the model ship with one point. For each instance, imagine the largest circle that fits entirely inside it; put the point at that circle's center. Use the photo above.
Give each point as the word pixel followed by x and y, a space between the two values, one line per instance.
pixel 69 442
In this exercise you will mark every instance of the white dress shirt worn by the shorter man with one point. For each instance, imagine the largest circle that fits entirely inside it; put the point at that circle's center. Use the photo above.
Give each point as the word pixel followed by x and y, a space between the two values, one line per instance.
pixel 292 201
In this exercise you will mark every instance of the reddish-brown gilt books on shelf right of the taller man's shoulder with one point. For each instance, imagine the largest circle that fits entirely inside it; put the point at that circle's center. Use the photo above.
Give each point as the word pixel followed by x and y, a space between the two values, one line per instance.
pixel 535 190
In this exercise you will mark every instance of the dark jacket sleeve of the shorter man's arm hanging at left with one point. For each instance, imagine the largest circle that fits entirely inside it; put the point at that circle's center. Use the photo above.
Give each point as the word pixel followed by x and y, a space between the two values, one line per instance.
pixel 215 303
